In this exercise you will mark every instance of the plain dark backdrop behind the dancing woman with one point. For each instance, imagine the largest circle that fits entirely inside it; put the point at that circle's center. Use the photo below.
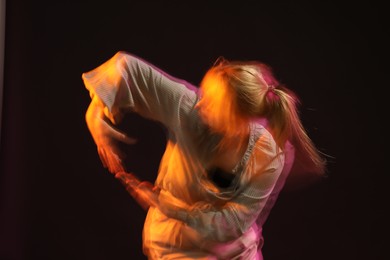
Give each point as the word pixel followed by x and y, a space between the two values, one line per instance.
pixel 58 202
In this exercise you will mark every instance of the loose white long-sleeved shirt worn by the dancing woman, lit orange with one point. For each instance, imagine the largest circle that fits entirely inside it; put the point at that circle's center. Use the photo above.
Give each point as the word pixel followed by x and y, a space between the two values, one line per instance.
pixel 209 217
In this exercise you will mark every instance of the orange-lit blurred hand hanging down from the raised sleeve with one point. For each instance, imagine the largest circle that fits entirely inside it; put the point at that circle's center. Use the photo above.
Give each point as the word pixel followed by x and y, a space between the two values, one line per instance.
pixel 105 137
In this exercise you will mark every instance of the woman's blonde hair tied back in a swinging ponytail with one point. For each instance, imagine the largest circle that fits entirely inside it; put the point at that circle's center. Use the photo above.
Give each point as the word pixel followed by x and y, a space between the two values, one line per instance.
pixel 257 93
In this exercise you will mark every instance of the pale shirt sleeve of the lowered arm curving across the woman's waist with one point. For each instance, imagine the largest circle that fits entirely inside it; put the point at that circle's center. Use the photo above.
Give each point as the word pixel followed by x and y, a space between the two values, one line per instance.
pixel 234 218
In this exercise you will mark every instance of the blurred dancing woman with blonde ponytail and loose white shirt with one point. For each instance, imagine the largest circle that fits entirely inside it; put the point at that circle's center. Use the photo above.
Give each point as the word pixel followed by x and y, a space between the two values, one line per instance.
pixel 231 144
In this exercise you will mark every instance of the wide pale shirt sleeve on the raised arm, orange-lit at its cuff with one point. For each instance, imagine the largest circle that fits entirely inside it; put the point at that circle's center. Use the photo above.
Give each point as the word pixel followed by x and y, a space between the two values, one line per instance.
pixel 128 83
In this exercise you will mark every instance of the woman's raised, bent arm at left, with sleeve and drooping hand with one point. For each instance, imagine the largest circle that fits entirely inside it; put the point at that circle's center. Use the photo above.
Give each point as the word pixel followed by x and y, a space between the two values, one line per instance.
pixel 126 83
